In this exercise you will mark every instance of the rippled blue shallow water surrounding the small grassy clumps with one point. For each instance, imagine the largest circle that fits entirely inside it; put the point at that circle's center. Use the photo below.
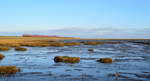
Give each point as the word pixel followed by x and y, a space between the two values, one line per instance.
pixel 131 63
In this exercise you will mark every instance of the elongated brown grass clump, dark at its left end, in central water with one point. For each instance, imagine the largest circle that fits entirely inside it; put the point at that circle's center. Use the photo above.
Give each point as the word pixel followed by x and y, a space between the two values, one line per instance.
pixel 66 59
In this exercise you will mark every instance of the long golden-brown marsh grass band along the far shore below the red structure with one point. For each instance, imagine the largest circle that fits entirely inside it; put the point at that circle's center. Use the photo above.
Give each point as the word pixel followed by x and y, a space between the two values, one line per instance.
pixel 10 41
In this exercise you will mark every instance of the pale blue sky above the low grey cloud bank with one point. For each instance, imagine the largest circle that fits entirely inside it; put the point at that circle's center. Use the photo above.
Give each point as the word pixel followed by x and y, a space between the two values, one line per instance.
pixel 41 15
